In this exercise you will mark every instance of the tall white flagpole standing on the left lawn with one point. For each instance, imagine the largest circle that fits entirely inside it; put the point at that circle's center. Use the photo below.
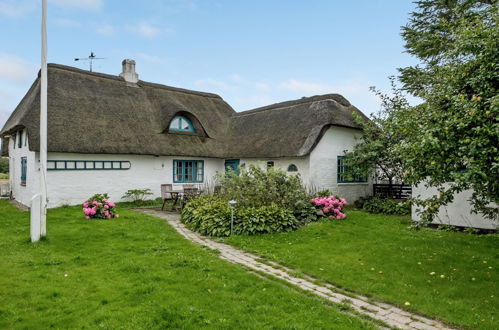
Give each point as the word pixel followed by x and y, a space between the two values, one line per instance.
pixel 43 126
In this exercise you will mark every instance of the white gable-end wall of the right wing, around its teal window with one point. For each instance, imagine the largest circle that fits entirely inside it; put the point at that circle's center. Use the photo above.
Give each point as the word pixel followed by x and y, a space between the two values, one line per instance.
pixel 323 169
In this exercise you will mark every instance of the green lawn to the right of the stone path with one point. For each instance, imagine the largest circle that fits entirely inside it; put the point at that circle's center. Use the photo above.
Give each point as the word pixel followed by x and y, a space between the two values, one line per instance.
pixel 379 256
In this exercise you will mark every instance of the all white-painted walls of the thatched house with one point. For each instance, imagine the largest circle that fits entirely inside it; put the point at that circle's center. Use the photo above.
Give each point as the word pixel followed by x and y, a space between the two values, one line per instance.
pixel 318 170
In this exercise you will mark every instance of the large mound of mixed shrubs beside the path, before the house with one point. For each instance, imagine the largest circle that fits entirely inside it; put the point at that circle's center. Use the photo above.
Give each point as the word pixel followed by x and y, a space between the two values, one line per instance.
pixel 268 201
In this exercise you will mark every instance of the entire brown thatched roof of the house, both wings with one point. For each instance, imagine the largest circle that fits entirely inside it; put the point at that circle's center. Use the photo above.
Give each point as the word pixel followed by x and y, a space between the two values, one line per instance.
pixel 99 113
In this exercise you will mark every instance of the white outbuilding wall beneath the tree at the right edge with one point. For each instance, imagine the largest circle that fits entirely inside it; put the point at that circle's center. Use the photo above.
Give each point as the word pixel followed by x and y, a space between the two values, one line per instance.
pixel 456 213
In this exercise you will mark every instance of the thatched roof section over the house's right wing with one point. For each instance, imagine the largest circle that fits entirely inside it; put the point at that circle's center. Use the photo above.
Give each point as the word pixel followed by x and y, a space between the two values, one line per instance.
pixel 289 128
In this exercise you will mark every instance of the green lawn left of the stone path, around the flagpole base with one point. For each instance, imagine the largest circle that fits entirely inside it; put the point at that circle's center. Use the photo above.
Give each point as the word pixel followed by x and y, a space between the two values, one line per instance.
pixel 137 272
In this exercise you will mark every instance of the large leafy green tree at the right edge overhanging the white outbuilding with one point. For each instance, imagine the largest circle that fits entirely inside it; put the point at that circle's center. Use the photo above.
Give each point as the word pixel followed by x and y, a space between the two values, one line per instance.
pixel 451 140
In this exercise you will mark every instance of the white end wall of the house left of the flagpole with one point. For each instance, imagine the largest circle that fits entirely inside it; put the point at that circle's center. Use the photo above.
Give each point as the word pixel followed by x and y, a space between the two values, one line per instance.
pixel 22 193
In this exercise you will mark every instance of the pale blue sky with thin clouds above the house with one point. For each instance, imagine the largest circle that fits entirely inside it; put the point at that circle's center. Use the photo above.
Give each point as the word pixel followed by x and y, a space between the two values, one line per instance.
pixel 252 53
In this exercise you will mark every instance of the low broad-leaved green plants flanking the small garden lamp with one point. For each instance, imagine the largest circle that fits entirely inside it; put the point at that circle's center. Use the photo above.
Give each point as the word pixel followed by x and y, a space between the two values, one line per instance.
pixel 210 215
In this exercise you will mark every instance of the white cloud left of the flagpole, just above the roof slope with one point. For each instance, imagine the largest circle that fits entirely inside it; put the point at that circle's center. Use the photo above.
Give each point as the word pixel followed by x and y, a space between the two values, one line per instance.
pixel 14 69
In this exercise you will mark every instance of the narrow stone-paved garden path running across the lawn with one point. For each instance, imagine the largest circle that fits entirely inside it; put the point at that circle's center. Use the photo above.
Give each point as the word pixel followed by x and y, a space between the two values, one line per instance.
pixel 390 315
